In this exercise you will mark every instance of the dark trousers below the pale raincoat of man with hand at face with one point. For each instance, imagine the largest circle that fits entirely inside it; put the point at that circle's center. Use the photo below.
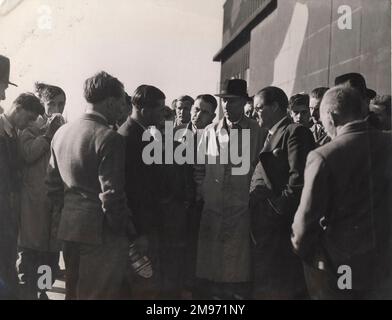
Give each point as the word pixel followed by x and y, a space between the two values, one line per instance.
pixel 31 261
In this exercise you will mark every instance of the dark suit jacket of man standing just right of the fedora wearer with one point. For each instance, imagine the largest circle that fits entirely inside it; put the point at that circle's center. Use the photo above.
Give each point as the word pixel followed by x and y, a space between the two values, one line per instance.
pixel 278 178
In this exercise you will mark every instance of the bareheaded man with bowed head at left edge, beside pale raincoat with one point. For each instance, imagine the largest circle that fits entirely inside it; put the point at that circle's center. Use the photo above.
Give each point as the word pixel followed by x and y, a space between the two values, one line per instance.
pixel 24 110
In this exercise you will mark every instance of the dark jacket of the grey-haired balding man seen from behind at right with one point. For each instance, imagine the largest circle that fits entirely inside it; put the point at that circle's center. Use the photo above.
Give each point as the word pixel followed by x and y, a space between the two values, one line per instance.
pixel 345 210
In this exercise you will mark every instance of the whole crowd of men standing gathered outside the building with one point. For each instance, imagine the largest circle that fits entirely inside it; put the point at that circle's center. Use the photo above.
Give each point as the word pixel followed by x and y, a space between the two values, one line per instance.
pixel 316 197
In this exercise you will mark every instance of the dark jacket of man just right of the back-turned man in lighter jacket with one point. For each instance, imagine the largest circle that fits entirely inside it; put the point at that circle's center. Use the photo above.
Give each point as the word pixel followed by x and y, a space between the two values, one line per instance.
pixel 143 182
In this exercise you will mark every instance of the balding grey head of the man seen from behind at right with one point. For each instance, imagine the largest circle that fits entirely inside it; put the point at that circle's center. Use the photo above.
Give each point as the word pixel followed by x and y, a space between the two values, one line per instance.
pixel 340 106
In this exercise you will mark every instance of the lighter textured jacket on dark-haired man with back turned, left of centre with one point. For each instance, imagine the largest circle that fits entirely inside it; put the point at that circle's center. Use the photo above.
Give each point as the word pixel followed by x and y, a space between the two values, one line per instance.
pixel 86 177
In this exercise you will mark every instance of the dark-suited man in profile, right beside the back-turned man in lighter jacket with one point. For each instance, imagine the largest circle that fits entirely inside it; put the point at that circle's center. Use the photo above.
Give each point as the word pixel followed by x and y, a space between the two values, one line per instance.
pixel 143 184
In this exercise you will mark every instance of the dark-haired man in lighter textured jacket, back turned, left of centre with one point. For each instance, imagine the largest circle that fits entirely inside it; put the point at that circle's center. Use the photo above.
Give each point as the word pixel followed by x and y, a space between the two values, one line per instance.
pixel 86 179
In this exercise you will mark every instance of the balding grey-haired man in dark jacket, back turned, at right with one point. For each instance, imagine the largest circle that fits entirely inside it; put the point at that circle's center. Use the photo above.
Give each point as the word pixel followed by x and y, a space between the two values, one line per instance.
pixel 344 218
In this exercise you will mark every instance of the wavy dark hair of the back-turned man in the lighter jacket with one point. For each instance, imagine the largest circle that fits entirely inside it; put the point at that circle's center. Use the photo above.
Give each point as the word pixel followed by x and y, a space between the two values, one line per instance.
pixel 102 86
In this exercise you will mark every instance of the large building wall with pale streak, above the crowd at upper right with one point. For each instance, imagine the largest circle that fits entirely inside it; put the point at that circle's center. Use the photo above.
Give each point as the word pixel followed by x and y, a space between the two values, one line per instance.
pixel 299 45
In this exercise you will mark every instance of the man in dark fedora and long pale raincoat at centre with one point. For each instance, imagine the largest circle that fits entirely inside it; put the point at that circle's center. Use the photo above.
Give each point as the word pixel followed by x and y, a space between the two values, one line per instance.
pixel 223 258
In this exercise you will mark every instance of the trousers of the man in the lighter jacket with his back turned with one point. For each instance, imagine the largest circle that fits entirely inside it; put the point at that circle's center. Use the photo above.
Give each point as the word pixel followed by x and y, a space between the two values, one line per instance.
pixel 96 272
